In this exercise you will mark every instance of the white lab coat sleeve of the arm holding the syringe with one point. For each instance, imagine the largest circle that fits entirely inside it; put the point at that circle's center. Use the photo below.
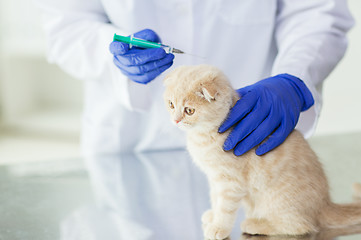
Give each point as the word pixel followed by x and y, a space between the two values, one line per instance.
pixel 78 35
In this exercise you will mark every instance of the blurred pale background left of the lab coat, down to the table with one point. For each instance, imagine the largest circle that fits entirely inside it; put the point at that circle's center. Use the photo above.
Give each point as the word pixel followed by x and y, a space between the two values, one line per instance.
pixel 40 105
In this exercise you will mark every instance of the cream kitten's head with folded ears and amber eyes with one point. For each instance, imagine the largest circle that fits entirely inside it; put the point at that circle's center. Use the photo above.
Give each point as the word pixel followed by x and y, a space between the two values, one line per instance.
pixel 198 97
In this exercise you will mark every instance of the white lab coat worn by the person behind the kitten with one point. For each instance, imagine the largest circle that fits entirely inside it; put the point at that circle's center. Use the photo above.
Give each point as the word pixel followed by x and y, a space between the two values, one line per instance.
pixel 249 40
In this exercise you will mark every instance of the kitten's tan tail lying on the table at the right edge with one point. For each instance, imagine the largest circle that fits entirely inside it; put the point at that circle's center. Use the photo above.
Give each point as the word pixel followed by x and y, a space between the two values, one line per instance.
pixel 343 215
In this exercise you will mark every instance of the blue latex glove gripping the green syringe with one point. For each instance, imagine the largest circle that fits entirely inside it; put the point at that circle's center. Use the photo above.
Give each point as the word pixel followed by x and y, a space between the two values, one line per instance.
pixel 138 64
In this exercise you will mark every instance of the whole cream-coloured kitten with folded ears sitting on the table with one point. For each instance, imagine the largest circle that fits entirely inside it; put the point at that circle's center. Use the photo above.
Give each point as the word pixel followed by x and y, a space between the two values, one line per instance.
pixel 284 192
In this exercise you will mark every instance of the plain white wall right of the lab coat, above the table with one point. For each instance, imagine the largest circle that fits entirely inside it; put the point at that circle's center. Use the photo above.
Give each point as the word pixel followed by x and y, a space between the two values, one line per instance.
pixel 342 90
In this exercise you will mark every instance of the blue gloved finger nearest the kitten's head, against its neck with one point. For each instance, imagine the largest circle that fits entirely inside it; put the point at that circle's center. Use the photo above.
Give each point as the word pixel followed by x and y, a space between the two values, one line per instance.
pixel 240 109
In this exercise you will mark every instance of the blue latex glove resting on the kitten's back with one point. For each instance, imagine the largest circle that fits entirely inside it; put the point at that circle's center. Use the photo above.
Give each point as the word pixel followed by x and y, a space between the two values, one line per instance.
pixel 268 108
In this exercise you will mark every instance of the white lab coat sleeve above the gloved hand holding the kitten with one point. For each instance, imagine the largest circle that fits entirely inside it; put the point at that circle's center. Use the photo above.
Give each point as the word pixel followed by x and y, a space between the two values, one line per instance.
pixel 311 39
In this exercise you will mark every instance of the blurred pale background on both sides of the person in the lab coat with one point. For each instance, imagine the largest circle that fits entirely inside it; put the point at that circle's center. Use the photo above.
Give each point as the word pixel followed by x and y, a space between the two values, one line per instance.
pixel 40 105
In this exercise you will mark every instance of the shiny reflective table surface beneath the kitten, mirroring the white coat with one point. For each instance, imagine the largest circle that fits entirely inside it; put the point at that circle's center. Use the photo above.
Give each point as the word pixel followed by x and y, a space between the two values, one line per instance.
pixel 158 195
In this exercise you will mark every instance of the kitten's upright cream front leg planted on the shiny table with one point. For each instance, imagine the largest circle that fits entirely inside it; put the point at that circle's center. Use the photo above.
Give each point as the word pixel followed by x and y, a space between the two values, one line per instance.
pixel 224 212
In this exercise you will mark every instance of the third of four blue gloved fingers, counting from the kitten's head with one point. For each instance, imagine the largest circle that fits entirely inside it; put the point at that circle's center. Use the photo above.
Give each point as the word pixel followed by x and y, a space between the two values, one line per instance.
pixel 257 136
